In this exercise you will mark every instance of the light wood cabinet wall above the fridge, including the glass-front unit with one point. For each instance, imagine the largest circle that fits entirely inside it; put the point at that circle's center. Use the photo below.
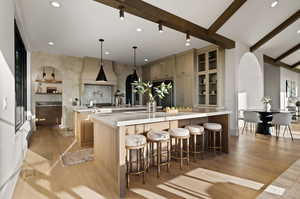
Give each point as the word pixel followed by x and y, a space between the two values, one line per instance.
pixel 197 76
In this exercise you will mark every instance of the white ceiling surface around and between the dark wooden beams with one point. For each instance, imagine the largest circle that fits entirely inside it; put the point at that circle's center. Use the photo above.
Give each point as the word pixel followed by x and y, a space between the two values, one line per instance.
pixel 77 25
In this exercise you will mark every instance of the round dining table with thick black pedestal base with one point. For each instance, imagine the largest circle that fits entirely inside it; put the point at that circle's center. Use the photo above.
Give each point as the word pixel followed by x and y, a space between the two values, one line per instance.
pixel 264 127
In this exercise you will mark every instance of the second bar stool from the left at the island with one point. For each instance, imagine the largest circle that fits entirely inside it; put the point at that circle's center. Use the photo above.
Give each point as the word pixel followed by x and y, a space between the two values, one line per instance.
pixel 158 138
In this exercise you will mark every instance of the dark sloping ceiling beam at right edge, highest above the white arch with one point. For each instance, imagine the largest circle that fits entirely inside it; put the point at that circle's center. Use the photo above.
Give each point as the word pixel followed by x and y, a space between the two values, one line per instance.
pixel 276 31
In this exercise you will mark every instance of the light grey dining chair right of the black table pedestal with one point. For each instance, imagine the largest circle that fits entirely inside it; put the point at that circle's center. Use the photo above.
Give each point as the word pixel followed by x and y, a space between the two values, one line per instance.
pixel 282 119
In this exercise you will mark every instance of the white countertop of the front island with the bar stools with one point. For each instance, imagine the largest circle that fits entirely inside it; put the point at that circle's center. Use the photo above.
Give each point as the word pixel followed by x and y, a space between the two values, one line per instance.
pixel 143 117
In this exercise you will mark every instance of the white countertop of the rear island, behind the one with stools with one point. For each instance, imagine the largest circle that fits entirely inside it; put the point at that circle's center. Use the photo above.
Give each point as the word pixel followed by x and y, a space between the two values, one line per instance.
pixel 108 109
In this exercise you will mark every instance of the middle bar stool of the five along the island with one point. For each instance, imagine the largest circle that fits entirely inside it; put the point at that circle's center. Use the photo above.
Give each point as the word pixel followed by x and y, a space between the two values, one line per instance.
pixel 180 134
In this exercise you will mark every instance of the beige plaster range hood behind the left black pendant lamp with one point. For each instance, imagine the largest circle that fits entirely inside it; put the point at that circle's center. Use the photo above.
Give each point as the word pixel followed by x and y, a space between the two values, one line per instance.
pixel 90 70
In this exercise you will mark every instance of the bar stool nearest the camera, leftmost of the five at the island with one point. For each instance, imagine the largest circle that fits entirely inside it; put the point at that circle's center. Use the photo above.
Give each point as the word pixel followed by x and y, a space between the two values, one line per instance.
pixel 135 162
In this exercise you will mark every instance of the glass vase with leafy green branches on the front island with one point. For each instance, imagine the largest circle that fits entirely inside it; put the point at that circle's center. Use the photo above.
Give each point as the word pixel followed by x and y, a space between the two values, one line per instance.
pixel 146 88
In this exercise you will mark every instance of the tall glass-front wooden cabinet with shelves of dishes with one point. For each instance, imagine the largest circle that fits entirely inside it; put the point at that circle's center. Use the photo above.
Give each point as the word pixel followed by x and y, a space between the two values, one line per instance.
pixel 210 62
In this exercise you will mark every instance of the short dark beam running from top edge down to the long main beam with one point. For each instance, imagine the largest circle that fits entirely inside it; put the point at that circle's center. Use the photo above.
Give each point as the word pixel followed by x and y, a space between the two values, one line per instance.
pixel 234 6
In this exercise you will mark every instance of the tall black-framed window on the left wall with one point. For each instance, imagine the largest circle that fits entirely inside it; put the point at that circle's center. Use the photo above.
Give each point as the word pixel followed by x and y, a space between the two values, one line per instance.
pixel 20 79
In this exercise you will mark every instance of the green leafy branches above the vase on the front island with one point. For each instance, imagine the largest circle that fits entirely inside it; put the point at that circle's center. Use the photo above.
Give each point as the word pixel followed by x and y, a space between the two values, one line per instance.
pixel 160 91
